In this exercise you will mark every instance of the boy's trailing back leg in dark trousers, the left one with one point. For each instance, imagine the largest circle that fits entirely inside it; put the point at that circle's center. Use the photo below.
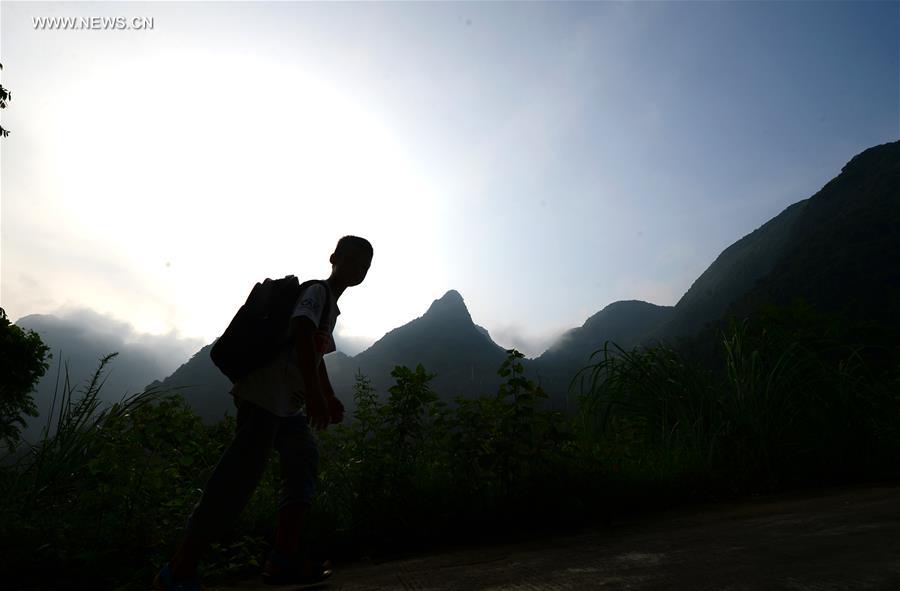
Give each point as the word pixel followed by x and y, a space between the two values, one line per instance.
pixel 230 486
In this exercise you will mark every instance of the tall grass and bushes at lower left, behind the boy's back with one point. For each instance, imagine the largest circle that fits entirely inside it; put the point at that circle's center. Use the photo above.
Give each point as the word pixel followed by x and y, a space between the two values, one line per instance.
pixel 102 488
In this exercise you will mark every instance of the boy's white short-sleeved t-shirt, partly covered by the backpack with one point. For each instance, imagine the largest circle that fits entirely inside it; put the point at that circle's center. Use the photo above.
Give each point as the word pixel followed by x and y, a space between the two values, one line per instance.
pixel 278 386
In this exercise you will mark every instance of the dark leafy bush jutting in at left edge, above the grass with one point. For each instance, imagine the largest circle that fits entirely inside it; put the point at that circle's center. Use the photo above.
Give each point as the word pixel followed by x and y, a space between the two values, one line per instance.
pixel 23 361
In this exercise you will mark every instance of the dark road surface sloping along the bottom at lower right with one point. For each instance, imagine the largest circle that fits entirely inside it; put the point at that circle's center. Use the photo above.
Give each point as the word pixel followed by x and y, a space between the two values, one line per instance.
pixel 835 540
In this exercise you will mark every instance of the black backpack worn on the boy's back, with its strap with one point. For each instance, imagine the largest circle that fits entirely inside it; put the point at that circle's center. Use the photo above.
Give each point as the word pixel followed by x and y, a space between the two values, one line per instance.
pixel 261 328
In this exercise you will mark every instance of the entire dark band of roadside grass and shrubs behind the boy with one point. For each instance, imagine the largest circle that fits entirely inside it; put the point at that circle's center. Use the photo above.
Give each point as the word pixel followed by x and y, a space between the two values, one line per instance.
pixel 104 496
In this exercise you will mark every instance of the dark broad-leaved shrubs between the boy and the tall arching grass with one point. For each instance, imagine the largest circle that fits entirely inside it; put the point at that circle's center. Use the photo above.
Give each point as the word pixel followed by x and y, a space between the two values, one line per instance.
pixel 412 465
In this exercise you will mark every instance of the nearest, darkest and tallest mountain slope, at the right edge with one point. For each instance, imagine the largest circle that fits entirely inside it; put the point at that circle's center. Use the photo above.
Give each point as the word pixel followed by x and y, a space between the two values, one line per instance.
pixel 843 254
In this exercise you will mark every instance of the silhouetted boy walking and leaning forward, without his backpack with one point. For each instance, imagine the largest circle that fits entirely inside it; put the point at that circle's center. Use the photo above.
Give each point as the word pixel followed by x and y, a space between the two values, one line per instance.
pixel 270 414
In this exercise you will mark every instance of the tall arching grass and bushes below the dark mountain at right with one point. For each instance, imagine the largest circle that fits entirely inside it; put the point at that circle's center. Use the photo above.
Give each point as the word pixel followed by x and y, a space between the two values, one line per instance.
pixel 790 403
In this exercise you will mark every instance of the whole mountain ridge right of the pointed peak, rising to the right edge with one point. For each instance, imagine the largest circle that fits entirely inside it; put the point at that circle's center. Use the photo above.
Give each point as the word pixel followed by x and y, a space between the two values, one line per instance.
pixel 838 250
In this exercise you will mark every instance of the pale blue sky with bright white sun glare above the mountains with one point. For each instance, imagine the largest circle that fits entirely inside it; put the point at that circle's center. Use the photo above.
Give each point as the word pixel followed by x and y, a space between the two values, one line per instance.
pixel 543 159
